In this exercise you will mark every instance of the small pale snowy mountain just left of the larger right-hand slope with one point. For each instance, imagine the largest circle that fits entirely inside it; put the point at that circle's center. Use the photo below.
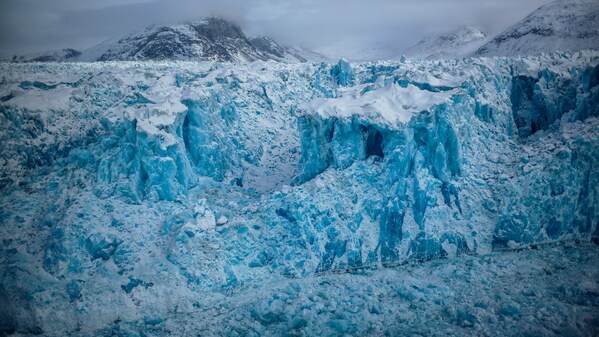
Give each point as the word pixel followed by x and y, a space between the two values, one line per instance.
pixel 457 43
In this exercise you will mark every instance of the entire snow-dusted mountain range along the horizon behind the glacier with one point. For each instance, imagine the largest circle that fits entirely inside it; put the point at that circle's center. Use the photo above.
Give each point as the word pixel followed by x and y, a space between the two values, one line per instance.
pixel 562 25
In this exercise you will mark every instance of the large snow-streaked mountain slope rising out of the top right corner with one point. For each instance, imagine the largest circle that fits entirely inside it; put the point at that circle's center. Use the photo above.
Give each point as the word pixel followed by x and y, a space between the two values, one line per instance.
pixel 564 25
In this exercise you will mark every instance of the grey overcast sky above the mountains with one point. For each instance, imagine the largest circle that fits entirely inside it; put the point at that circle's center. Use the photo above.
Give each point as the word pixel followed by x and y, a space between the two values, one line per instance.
pixel 336 27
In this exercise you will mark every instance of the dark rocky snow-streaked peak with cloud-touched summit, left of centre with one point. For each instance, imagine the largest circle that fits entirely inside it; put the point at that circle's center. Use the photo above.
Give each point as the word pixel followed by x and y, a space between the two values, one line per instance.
pixel 210 39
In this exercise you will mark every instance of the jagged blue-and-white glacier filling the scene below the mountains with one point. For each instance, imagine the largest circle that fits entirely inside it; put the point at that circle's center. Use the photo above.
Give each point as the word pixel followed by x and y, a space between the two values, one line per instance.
pixel 154 198
